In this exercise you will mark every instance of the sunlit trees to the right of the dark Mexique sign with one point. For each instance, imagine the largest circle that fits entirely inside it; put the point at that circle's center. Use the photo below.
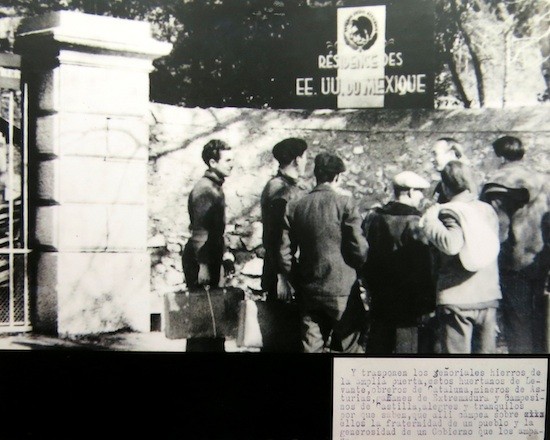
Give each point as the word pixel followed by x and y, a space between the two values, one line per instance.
pixel 492 52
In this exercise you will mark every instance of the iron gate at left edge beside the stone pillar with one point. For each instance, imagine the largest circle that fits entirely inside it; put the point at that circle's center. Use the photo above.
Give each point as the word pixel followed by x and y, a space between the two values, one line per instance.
pixel 14 286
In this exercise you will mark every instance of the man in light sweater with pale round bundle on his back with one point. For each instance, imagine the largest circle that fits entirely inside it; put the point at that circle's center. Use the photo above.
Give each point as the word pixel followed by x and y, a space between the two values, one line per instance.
pixel 465 233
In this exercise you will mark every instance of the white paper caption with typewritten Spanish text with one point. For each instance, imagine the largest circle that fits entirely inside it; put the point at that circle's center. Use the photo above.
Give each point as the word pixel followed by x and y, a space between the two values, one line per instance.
pixel 502 398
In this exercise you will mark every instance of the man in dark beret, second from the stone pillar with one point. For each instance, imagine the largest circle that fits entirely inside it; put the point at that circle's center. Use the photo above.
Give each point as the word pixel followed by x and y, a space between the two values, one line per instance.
pixel 291 155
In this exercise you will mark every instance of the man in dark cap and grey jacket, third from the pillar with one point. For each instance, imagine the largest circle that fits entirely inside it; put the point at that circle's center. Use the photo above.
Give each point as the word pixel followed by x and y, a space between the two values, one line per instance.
pixel 322 249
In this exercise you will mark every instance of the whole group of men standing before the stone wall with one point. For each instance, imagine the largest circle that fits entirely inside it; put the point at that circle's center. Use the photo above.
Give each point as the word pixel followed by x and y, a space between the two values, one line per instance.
pixel 397 278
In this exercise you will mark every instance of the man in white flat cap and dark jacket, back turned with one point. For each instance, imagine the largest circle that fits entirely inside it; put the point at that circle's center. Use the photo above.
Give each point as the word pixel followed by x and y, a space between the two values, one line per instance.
pixel 398 269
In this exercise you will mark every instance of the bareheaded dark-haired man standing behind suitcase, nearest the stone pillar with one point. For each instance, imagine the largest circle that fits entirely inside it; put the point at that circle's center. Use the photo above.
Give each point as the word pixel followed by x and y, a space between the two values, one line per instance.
pixel 203 253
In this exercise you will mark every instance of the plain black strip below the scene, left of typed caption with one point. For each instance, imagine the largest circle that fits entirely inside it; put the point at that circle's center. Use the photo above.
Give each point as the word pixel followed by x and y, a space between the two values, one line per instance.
pixel 83 394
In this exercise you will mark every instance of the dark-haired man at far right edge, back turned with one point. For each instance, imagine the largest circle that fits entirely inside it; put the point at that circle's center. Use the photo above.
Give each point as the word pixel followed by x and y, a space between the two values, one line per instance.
pixel 521 198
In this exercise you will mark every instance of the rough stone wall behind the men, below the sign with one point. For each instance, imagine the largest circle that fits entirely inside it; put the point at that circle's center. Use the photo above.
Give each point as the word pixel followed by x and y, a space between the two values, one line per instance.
pixel 375 145
